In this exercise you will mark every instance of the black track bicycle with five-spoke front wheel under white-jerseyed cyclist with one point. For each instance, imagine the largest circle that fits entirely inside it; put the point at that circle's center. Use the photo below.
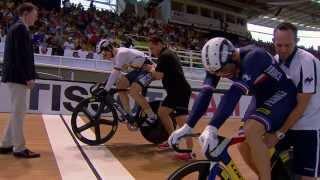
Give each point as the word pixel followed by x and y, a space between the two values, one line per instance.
pixel 104 113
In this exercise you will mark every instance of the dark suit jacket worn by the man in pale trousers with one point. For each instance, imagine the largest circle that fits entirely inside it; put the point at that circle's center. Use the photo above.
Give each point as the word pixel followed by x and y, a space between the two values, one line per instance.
pixel 18 59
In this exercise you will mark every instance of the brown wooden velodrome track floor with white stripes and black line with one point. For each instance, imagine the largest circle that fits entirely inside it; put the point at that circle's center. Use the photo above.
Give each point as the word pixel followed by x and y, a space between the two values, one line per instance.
pixel 126 156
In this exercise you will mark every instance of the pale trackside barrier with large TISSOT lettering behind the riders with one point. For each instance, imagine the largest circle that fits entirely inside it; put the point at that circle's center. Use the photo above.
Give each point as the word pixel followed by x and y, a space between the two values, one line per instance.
pixel 60 97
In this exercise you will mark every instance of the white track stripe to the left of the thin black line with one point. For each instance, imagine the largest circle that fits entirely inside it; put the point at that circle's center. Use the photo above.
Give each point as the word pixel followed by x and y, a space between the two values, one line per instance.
pixel 69 159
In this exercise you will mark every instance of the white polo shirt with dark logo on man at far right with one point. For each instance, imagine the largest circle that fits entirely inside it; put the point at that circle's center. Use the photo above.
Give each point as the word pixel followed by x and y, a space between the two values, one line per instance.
pixel 304 70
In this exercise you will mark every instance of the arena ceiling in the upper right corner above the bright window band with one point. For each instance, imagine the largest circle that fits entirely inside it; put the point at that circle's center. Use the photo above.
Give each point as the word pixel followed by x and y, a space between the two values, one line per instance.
pixel 303 13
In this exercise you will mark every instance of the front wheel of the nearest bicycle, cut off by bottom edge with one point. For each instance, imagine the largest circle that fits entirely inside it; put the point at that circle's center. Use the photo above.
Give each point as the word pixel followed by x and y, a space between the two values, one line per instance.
pixel 198 170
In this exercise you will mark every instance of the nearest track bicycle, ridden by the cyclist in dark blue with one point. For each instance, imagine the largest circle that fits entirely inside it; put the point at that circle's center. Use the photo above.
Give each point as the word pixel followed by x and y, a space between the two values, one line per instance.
pixel 219 164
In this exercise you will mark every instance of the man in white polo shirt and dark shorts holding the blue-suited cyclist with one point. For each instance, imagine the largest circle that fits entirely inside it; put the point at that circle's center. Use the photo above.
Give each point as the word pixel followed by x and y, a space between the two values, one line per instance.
pixel 304 121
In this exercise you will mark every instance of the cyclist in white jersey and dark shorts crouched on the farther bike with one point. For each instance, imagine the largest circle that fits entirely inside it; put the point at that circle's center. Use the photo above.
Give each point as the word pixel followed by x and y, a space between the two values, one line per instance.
pixel 132 60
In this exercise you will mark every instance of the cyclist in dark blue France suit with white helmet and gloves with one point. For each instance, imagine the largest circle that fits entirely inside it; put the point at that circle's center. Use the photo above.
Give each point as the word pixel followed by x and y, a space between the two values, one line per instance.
pixel 254 71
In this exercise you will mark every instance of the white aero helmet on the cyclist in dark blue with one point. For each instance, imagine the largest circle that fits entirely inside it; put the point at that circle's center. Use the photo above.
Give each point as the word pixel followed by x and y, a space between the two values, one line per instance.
pixel 216 53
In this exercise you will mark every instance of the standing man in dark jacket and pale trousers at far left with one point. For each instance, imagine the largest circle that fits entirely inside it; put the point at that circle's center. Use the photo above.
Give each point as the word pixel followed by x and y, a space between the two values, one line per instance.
pixel 19 75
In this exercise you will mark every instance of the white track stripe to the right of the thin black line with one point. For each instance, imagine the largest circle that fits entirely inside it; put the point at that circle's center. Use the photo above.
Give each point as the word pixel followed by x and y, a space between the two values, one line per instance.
pixel 103 160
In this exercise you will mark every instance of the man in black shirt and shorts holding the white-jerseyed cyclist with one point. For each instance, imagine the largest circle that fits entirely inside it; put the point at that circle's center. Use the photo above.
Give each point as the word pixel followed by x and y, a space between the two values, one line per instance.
pixel 178 90
